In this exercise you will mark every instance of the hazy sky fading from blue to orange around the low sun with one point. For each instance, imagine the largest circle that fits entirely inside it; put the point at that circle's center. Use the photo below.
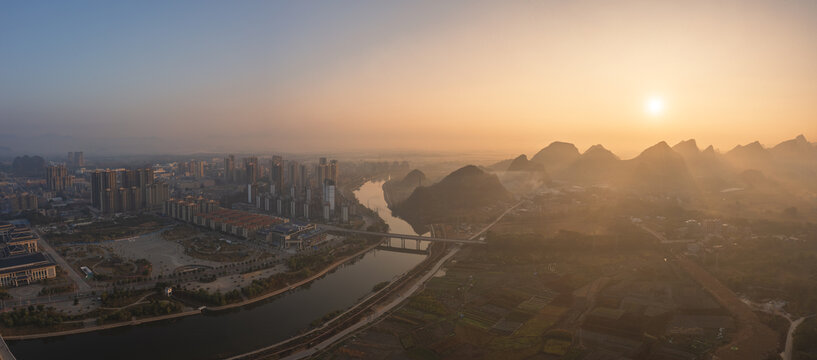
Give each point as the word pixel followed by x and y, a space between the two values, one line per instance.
pixel 463 76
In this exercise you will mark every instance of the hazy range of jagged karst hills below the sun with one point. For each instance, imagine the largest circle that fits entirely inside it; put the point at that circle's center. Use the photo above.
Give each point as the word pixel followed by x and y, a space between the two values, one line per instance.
pixel 686 169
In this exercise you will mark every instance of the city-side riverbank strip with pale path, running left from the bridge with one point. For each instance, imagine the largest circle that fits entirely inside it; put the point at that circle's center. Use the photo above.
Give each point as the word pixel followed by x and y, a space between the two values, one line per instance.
pixel 256 299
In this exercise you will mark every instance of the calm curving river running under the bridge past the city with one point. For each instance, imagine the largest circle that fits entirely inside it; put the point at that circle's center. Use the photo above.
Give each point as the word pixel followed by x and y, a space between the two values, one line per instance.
pixel 222 334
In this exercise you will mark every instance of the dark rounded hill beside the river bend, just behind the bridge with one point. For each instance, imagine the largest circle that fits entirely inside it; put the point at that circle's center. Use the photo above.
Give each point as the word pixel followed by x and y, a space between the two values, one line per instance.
pixel 459 194
